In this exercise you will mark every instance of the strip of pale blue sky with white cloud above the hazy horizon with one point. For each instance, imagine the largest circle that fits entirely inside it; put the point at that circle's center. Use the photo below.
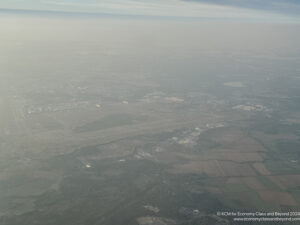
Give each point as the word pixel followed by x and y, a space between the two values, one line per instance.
pixel 237 10
